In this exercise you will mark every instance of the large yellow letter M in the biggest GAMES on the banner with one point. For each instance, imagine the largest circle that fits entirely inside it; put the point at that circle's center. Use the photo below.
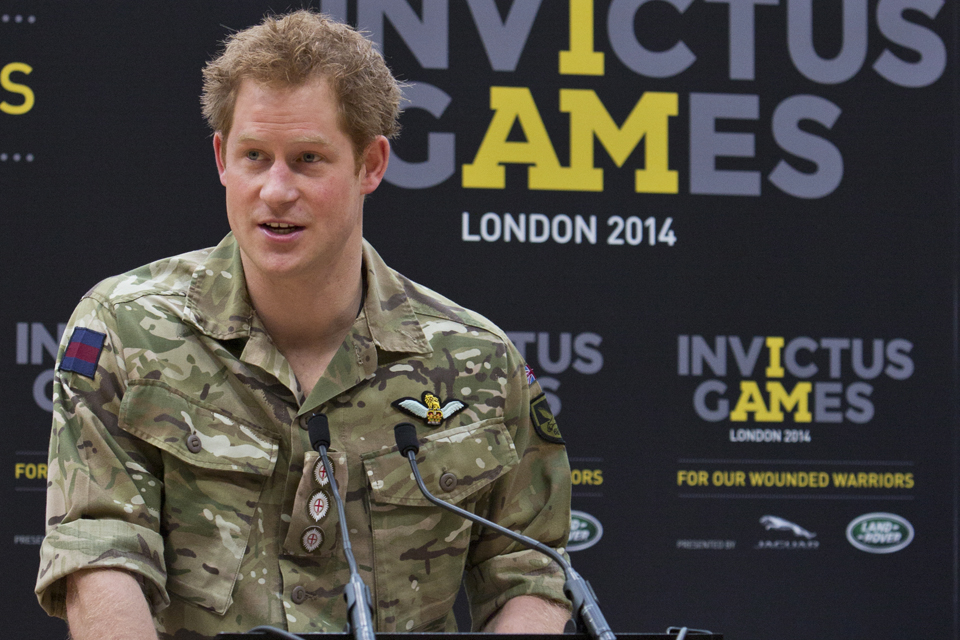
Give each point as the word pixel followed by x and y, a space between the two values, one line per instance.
pixel 589 118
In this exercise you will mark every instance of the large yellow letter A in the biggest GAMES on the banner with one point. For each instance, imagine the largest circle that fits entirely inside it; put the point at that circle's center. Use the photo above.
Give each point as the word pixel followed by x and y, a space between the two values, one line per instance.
pixel 512 104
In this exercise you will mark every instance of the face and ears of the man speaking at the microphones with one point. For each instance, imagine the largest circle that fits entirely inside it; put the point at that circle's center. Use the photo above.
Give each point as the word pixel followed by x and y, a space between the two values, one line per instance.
pixel 294 193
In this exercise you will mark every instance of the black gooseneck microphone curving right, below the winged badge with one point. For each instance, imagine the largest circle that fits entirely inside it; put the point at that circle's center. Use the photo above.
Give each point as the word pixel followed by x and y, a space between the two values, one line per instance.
pixel 586 611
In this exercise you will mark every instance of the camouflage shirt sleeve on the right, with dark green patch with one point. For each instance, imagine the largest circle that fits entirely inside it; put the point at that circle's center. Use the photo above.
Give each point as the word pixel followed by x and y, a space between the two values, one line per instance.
pixel 533 499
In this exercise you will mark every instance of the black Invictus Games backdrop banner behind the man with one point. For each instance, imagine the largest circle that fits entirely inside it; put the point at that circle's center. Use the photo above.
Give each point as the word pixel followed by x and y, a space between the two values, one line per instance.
pixel 723 233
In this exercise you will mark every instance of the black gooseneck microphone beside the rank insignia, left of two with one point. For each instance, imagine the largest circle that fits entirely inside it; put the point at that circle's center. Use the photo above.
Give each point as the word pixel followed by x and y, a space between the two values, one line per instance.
pixel 355 592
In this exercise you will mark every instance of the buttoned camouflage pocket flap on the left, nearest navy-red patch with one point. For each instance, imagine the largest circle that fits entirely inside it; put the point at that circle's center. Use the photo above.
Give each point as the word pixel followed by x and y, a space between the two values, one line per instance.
pixel 194 431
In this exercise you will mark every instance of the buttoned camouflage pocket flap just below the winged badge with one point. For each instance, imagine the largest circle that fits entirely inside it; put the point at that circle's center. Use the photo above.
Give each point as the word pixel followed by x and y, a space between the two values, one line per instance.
pixel 454 464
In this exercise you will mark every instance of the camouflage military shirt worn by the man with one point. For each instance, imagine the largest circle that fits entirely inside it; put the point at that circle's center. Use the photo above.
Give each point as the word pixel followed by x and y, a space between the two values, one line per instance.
pixel 186 461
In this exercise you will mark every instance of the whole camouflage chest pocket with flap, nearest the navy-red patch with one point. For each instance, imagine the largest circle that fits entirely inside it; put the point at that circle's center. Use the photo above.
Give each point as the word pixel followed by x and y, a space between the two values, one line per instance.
pixel 214 468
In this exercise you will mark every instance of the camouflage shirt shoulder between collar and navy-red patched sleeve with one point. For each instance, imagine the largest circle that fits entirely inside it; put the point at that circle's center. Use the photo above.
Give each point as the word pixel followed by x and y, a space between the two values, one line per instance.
pixel 167 277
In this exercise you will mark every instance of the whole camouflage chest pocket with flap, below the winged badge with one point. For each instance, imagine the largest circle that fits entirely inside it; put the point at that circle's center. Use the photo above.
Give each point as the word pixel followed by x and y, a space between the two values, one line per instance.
pixel 419 549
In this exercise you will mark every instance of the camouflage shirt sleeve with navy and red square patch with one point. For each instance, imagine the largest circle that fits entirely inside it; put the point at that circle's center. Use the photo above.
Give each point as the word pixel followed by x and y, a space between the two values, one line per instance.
pixel 104 486
